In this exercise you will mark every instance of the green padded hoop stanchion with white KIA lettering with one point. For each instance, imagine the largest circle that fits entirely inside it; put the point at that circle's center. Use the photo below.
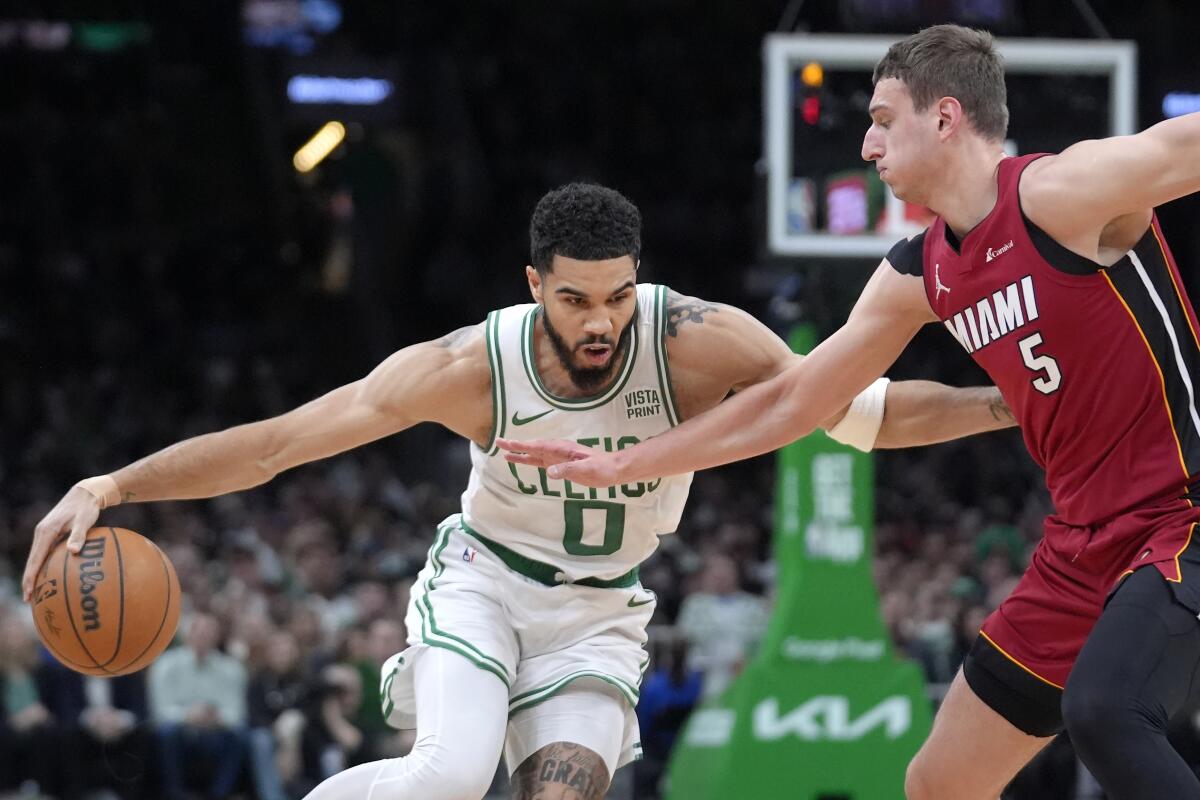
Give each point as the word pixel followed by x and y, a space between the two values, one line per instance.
pixel 826 711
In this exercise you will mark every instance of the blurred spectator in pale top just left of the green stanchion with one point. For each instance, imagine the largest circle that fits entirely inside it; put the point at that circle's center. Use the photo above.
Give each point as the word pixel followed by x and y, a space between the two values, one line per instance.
pixel 722 623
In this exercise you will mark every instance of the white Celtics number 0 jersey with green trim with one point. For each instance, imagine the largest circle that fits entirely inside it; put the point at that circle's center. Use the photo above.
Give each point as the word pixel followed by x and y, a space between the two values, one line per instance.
pixel 586 533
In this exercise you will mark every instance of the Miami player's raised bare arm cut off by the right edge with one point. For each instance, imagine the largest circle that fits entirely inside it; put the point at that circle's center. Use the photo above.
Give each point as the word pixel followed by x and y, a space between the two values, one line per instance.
pixel 1078 194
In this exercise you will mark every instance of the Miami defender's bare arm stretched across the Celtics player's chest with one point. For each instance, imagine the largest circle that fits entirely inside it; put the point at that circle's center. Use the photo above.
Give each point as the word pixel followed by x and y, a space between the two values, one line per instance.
pixel 784 408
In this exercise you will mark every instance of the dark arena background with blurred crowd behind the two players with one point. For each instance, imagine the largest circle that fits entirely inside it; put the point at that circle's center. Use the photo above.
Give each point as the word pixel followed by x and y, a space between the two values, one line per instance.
pixel 214 212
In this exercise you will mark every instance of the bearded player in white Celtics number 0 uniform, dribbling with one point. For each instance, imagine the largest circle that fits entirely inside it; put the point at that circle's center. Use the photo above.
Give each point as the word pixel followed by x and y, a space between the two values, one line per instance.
pixel 527 624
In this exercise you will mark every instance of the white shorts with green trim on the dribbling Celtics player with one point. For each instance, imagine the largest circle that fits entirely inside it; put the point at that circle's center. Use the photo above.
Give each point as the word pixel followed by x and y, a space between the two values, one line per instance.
pixel 538 640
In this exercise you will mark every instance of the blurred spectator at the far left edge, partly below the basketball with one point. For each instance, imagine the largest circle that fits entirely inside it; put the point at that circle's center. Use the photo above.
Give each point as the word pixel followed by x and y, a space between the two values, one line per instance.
pixel 31 742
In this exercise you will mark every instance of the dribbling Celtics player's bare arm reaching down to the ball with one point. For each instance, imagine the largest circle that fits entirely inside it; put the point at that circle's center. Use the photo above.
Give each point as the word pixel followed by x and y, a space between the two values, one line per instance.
pixel 440 382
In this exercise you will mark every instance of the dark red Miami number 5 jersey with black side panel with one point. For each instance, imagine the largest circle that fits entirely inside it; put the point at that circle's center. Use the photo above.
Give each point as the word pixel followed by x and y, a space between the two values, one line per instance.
pixel 1096 364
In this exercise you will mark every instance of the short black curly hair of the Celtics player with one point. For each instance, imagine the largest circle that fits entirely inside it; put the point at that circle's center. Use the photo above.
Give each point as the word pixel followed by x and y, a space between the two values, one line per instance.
pixel 584 221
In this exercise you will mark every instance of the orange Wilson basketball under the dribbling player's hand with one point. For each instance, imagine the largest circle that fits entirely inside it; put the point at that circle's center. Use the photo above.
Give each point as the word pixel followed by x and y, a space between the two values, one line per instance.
pixel 111 610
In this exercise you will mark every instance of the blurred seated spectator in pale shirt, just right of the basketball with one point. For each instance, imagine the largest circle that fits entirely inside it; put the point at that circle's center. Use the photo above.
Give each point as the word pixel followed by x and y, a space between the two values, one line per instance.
pixel 199 703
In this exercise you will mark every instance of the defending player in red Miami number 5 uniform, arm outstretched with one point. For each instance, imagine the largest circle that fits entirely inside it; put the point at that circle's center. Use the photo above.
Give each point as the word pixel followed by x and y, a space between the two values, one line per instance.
pixel 1053 273
